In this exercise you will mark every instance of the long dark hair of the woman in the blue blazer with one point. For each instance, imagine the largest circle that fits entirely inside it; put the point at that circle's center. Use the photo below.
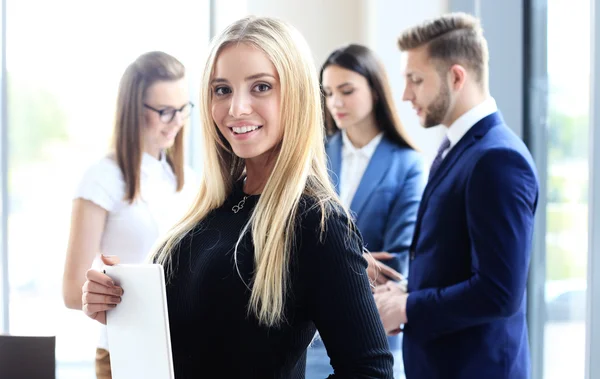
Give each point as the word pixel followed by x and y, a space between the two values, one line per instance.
pixel 363 61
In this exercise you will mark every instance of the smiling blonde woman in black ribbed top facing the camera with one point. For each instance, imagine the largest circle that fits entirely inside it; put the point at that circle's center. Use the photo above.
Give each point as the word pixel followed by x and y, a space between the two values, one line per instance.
pixel 267 256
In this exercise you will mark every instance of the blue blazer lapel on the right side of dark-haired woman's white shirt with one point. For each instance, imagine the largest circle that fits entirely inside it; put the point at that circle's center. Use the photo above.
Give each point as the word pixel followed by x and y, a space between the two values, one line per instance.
pixel 376 170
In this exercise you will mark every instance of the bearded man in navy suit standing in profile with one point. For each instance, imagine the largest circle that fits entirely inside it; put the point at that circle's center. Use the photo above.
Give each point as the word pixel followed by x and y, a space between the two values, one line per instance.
pixel 464 313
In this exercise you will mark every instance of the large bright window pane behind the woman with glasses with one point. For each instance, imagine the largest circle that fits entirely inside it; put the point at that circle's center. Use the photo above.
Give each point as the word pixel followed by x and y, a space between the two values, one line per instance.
pixel 65 59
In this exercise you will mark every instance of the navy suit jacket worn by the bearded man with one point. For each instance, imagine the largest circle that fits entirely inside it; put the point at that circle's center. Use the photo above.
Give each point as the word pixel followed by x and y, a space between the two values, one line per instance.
pixel 469 261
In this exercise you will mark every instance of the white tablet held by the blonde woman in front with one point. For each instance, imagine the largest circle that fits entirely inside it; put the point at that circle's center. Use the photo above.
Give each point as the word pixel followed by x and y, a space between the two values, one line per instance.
pixel 139 339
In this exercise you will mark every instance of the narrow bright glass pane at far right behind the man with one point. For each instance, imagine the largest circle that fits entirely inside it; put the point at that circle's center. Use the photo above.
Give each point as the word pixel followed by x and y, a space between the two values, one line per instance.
pixel 567 209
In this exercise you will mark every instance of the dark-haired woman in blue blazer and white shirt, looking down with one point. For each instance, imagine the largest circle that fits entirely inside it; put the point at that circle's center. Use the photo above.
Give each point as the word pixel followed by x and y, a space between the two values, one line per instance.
pixel 375 167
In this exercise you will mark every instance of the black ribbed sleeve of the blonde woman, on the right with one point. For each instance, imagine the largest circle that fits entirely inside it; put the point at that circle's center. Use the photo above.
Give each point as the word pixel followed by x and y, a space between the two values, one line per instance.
pixel 340 301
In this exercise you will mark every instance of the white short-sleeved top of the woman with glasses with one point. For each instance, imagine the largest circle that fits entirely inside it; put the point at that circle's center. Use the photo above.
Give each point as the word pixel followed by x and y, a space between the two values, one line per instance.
pixel 132 230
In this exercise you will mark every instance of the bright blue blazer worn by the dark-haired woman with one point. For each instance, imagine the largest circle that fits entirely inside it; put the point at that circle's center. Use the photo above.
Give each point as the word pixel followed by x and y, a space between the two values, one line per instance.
pixel 386 202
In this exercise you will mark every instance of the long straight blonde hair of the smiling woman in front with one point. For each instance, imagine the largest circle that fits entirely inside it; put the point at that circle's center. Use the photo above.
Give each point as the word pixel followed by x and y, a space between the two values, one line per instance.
pixel 299 168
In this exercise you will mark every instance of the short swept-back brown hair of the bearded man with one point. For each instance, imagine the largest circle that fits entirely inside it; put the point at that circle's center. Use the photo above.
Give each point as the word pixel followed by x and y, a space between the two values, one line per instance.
pixel 454 38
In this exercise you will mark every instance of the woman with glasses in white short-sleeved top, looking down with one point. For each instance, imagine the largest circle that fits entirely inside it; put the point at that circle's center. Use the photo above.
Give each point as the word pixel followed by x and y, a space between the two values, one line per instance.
pixel 127 199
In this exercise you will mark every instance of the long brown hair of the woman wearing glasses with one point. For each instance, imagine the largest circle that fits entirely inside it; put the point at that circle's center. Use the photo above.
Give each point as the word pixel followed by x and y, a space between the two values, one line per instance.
pixel 146 70
